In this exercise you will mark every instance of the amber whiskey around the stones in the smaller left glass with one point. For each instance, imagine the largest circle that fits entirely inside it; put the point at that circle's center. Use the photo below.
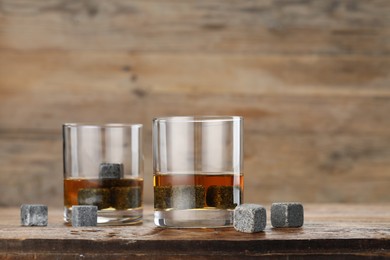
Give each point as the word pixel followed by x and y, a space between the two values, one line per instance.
pixel 73 186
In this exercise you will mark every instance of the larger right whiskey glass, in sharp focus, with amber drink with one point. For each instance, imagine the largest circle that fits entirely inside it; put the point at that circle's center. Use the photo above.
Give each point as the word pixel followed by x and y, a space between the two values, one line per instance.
pixel 198 163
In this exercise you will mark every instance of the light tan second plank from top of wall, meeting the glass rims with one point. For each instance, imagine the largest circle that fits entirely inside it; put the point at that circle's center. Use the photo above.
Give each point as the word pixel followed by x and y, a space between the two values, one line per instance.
pixel 306 94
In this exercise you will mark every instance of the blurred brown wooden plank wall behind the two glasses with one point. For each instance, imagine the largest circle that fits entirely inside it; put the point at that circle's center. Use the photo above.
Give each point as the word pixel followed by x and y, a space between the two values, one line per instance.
pixel 311 78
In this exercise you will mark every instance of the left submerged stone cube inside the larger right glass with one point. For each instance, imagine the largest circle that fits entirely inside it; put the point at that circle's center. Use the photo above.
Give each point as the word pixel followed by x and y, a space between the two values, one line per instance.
pixel 188 196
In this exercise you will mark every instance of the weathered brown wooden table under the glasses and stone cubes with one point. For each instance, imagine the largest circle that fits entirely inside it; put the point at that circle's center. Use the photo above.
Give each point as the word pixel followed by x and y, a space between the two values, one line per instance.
pixel 330 230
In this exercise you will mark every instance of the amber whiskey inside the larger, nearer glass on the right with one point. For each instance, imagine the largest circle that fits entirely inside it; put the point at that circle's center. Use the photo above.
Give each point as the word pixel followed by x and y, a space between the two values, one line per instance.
pixel 219 186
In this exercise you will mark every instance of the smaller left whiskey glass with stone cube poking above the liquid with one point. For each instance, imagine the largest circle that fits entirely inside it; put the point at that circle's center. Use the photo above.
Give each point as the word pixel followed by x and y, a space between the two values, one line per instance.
pixel 103 166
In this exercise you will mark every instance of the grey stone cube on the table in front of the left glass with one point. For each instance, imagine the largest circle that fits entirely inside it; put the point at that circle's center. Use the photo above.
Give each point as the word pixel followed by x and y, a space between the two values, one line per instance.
pixel 84 216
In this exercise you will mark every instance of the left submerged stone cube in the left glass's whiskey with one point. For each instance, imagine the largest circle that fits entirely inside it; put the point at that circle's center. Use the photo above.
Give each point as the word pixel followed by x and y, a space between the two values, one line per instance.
pixel 99 197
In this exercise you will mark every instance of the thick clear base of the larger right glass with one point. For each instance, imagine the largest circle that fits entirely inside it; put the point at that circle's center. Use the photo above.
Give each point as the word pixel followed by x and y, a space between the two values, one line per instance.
pixel 194 218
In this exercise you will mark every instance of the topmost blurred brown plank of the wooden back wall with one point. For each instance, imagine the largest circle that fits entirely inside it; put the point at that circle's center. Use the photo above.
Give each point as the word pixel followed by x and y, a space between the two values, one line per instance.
pixel 323 27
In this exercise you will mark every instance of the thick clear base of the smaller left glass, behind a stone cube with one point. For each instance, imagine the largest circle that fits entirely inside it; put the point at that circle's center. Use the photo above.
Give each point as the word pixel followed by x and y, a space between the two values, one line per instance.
pixel 111 217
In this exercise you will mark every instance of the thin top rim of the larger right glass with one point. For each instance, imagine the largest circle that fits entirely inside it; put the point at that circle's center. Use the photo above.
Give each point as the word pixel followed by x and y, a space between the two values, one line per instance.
pixel 197 119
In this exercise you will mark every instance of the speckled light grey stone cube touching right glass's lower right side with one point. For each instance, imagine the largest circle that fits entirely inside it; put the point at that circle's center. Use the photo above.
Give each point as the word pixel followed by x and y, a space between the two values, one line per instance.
pixel 249 218
